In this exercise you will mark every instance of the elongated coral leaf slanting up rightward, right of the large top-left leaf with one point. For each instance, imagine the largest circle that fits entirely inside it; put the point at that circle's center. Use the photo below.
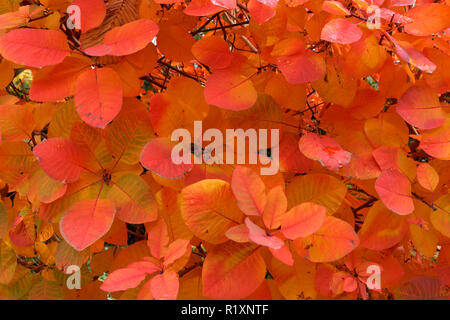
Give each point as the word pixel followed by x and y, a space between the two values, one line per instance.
pixel 127 39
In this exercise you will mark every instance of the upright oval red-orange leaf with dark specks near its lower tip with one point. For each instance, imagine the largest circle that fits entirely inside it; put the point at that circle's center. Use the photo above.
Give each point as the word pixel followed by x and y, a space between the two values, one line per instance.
pixel 98 96
